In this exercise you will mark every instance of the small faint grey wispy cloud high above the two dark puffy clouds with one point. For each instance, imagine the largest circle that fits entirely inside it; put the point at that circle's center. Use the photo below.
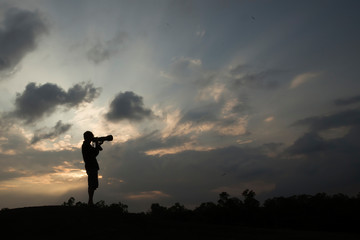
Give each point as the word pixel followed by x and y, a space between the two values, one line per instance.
pixel 100 52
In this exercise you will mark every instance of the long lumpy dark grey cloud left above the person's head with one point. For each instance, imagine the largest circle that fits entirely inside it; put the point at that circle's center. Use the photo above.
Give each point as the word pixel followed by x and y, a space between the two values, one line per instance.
pixel 37 101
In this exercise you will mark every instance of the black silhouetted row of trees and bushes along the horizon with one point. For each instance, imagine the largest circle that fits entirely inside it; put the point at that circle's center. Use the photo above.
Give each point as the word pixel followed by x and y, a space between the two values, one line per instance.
pixel 321 211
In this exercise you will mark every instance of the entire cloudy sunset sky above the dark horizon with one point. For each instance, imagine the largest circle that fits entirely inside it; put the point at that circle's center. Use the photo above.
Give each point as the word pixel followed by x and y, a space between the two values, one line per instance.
pixel 201 97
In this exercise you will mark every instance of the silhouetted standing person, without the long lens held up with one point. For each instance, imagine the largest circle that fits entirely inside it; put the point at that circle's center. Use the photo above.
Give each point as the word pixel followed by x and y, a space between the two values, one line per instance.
pixel 91 165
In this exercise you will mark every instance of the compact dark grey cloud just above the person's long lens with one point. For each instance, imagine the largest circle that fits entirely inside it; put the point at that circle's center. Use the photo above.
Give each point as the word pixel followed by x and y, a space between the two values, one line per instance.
pixel 128 106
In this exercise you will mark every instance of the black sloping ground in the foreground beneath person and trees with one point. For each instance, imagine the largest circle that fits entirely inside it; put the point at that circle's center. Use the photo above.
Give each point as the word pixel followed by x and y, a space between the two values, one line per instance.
pixel 64 222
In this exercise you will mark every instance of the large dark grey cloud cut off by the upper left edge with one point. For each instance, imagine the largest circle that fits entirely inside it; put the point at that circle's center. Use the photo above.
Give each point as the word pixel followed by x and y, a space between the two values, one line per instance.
pixel 19 34
